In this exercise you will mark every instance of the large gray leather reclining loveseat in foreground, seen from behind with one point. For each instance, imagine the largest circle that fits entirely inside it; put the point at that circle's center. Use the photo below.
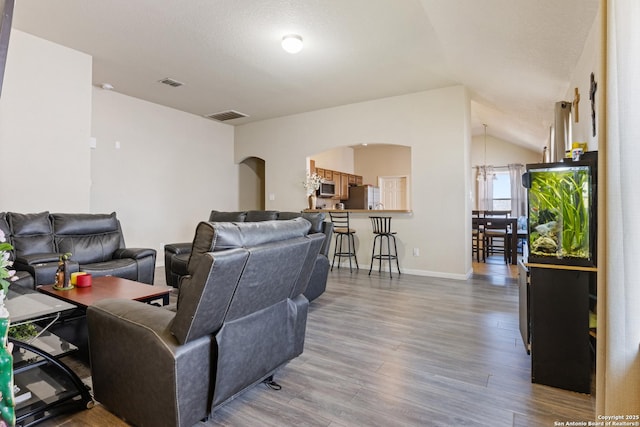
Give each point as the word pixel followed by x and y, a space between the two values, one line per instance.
pixel 240 316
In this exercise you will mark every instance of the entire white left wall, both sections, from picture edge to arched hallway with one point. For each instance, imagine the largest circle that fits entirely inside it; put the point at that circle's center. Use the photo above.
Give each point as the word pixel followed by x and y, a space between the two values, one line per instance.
pixel 171 170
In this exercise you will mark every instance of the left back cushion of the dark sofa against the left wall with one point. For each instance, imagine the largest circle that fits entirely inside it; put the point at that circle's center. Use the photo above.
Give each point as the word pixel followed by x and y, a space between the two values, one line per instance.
pixel 31 233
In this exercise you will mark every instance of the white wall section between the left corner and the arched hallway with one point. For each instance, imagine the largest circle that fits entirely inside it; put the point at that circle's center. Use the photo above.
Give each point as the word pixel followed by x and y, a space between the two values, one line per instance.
pixel 171 170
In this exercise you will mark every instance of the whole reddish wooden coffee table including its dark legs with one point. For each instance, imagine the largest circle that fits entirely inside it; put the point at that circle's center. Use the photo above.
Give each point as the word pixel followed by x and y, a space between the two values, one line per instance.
pixel 72 327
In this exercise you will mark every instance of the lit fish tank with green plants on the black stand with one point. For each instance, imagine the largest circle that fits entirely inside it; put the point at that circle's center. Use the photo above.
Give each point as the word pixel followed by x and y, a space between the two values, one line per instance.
pixel 562 213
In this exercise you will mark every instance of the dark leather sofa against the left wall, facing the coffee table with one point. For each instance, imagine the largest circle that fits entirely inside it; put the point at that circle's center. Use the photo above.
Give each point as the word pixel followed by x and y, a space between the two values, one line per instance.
pixel 94 240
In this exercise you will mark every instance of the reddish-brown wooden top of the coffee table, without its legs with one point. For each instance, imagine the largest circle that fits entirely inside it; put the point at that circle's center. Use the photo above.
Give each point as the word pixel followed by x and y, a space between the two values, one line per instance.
pixel 110 287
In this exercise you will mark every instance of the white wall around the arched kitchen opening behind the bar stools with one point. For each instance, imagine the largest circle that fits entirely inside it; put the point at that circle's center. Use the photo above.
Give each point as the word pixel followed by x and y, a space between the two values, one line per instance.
pixel 435 124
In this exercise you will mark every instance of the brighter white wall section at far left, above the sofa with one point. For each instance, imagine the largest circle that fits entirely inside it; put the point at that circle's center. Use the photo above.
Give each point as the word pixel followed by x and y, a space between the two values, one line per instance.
pixel 45 122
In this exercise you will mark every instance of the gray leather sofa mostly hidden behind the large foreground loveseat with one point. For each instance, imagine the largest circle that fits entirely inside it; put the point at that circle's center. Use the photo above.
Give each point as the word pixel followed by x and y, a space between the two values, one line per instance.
pixel 176 255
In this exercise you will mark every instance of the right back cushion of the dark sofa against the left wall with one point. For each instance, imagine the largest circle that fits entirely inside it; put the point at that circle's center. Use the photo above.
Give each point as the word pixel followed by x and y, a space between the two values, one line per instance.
pixel 90 238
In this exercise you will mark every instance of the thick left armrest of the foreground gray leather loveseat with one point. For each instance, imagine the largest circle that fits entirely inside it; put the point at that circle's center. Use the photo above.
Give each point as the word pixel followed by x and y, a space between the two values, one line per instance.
pixel 124 336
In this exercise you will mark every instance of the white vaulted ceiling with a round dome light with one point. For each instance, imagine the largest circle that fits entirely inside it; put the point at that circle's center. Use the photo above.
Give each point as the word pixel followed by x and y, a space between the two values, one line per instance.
pixel 515 56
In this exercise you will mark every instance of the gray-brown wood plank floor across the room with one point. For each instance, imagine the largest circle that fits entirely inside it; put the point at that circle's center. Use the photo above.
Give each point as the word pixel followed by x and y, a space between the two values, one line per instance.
pixel 408 351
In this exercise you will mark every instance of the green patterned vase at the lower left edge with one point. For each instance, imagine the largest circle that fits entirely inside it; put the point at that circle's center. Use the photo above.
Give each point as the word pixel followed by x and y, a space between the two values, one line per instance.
pixel 7 403
